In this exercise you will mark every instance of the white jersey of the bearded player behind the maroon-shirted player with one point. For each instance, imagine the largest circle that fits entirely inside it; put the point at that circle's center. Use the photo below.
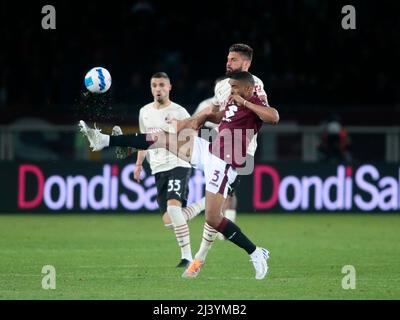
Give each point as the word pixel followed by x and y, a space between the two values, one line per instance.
pixel 222 92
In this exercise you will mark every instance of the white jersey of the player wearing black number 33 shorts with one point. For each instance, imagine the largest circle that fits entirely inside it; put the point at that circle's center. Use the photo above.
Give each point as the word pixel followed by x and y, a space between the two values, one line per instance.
pixel 153 120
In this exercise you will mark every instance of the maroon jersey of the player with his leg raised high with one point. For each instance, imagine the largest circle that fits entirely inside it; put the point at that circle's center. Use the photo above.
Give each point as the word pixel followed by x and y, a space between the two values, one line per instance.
pixel 235 132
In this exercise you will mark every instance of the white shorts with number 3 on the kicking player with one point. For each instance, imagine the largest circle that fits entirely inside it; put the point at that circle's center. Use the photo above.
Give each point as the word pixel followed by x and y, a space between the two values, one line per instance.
pixel 217 173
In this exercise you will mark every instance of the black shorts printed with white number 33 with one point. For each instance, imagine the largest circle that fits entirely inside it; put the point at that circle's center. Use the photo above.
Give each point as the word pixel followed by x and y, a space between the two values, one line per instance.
pixel 172 184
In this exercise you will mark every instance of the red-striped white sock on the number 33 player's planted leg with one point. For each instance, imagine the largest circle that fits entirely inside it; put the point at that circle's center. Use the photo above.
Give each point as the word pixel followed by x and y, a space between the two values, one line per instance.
pixel 181 231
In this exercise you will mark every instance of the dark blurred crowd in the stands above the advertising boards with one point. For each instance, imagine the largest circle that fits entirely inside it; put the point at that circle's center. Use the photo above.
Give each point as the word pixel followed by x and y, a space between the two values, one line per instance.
pixel 305 58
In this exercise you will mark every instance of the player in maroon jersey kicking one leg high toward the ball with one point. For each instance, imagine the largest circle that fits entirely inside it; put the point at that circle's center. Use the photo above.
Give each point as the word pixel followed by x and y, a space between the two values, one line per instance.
pixel 245 113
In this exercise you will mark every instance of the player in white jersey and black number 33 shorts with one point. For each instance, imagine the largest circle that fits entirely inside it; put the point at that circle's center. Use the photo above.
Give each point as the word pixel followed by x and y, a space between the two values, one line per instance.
pixel 171 173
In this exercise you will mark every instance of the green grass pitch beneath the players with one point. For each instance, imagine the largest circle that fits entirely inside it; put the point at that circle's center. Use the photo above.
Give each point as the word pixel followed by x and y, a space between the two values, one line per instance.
pixel 133 257
